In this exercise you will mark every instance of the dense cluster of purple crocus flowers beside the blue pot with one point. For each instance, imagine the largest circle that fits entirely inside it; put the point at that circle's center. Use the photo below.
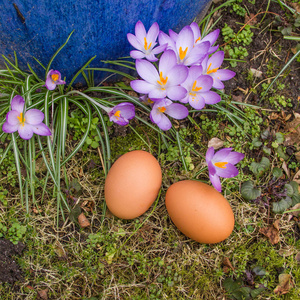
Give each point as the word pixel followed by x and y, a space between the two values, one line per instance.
pixel 187 70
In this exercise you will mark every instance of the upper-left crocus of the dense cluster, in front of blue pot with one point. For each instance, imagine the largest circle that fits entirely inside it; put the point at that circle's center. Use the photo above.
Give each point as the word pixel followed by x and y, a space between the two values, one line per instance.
pixel 145 42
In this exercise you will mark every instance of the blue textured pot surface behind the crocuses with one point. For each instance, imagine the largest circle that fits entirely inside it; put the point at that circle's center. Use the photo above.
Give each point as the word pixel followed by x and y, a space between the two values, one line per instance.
pixel 41 27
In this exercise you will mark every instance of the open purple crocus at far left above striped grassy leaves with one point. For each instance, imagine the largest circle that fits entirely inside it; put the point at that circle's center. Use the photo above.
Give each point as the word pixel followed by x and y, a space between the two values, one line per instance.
pixel 27 124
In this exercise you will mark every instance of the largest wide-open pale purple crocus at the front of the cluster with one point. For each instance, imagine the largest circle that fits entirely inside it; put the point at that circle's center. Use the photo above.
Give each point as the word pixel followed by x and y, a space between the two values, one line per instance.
pixel 162 83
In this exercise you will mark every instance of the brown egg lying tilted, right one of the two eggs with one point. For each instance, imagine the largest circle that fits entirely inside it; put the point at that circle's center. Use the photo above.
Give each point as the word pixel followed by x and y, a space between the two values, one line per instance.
pixel 199 211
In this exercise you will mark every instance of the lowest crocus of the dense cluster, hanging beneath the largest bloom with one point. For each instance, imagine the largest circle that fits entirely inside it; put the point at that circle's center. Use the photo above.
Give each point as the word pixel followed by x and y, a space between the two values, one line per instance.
pixel 166 106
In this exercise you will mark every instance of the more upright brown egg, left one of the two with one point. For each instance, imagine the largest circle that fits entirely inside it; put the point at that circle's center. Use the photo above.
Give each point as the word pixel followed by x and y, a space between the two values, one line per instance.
pixel 132 184
